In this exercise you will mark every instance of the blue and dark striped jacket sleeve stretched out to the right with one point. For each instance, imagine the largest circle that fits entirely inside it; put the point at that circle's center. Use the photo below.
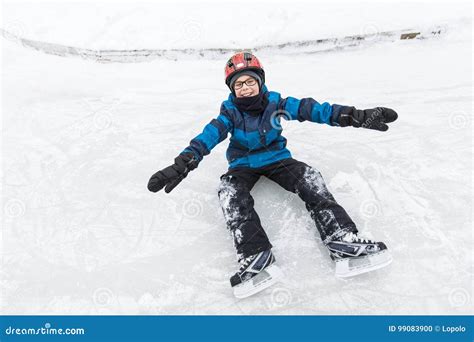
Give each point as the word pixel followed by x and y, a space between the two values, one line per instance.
pixel 308 109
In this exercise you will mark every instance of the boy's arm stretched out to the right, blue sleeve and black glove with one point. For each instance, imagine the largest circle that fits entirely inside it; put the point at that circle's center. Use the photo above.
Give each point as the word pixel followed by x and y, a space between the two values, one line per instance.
pixel 308 109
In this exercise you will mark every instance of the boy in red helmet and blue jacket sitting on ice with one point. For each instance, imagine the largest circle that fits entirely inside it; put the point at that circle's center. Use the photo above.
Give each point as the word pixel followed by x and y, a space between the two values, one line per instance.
pixel 252 115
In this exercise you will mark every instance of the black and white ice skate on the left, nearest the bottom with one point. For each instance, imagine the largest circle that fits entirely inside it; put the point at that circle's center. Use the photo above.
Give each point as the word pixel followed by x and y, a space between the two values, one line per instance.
pixel 255 274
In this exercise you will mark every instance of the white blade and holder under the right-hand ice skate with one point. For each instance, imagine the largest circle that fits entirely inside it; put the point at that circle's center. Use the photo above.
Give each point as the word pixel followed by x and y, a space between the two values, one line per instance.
pixel 354 266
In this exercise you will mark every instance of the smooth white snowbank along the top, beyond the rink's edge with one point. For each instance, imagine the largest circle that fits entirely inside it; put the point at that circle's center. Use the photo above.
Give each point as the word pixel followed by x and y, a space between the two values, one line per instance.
pixel 109 24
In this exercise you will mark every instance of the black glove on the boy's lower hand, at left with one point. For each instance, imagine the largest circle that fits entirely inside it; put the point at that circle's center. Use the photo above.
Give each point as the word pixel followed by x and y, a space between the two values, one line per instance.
pixel 172 175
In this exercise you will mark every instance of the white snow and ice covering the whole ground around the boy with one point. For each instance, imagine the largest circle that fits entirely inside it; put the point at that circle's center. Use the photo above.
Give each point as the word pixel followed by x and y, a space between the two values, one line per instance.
pixel 81 234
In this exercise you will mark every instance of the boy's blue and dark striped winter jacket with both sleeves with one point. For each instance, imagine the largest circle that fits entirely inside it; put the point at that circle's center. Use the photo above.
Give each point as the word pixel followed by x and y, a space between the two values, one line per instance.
pixel 256 141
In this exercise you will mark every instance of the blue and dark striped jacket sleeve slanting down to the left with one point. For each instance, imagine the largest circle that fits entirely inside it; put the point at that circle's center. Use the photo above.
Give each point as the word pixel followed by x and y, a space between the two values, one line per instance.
pixel 212 134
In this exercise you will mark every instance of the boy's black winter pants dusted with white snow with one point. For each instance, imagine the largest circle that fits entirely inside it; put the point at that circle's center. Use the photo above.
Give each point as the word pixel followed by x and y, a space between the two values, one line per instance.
pixel 242 220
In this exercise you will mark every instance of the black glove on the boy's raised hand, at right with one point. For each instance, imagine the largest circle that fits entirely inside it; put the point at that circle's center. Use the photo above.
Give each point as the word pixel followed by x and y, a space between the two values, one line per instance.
pixel 375 118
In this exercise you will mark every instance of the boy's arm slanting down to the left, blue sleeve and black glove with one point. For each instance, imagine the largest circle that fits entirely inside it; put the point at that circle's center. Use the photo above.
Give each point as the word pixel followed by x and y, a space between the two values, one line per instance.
pixel 213 133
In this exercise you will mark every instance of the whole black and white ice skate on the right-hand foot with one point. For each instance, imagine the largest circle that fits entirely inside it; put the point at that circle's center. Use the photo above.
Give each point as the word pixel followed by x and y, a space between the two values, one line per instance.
pixel 354 255
